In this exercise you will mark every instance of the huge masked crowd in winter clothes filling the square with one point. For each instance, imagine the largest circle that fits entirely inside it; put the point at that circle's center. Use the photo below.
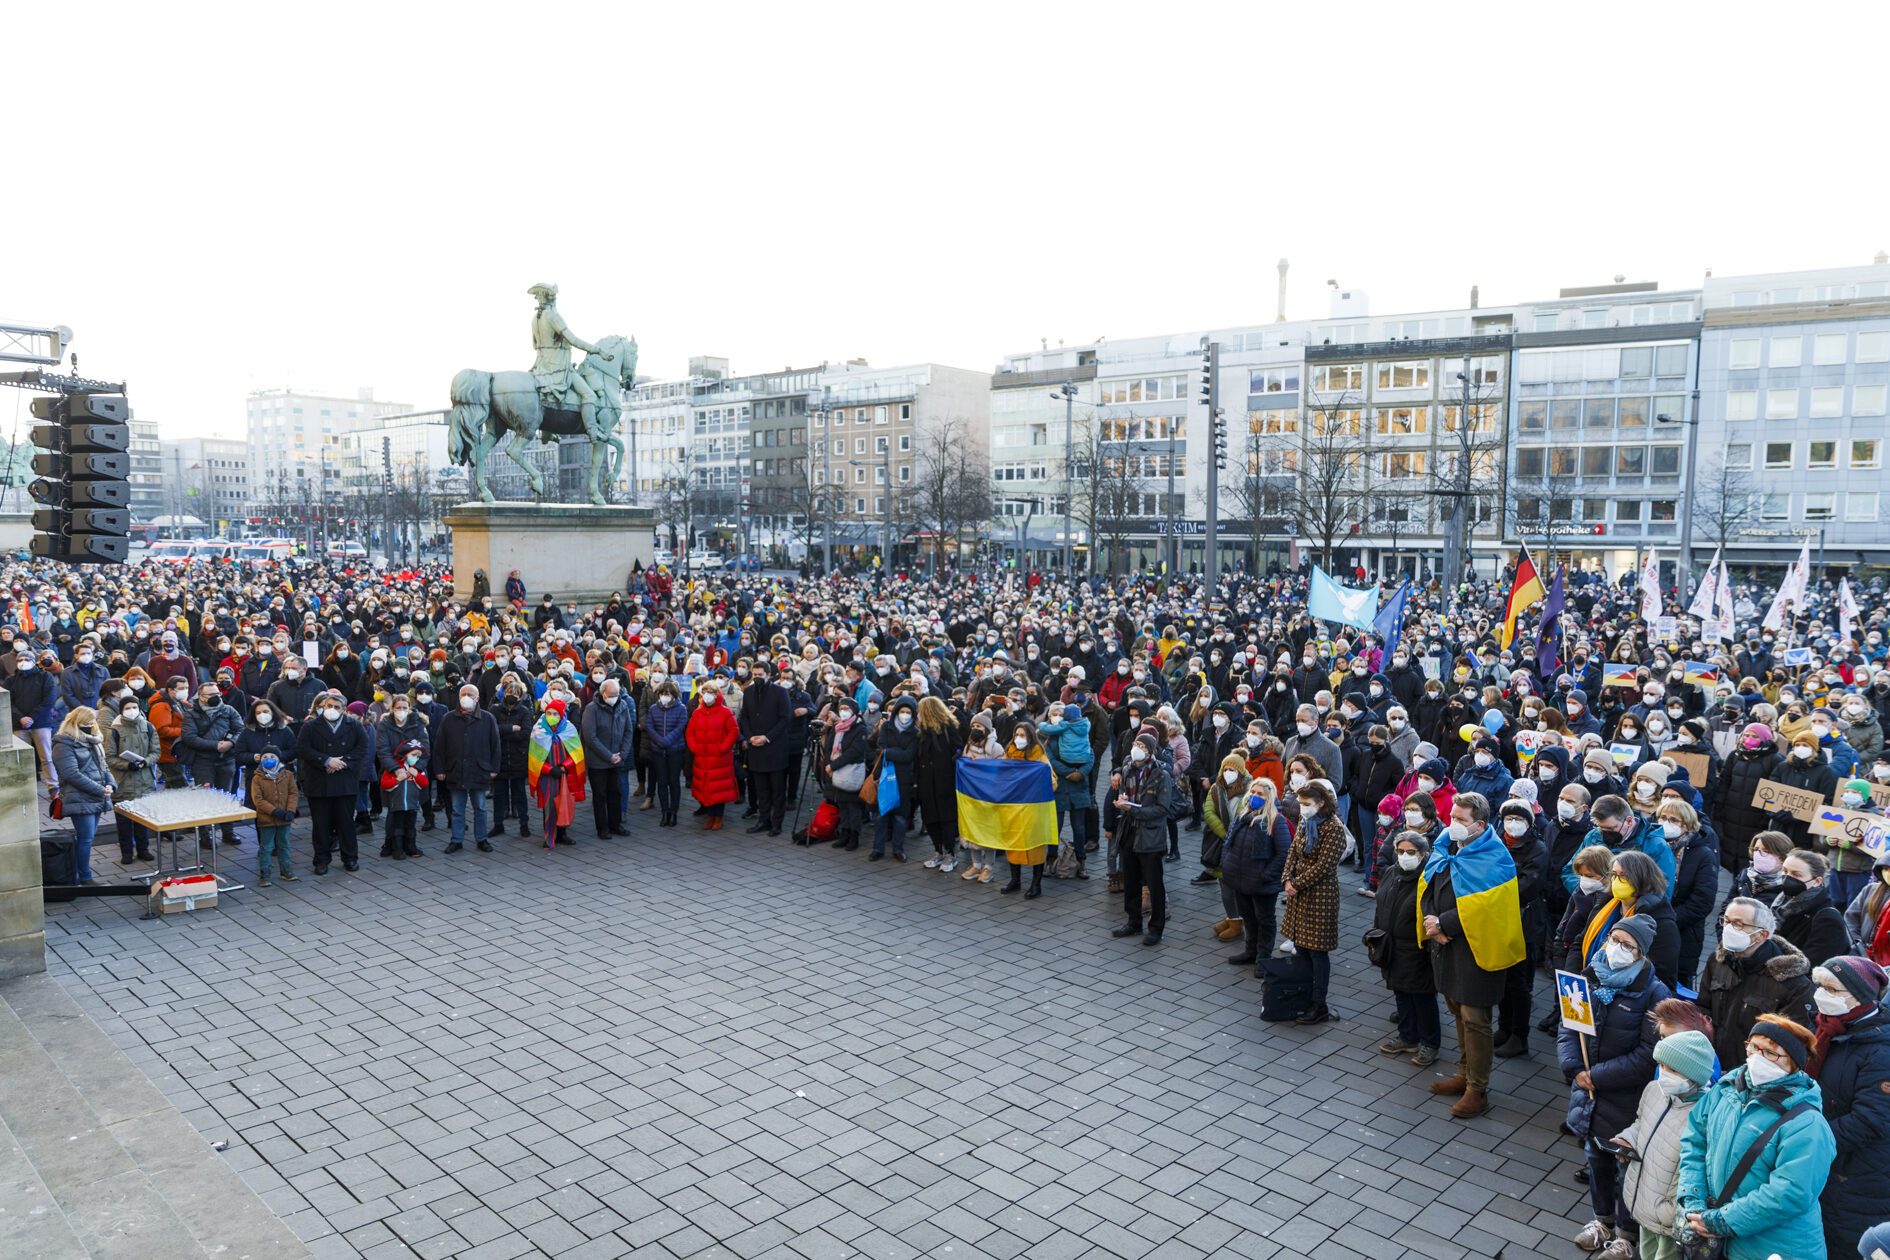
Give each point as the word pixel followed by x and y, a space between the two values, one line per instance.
pixel 1590 800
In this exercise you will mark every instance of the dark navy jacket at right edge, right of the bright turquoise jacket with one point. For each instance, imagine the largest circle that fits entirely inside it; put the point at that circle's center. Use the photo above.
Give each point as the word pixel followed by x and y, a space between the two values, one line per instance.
pixel 1859 1110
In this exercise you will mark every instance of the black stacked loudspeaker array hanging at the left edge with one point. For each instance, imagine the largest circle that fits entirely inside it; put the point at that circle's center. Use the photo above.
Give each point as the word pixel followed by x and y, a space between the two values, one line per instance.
pixel 84 479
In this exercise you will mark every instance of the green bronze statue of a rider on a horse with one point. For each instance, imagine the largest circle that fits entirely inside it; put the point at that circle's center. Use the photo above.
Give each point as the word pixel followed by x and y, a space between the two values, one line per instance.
pixel 506 411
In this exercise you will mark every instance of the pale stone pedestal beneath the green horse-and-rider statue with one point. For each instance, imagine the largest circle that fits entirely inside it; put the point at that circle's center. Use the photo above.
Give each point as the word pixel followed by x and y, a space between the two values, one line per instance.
pixel 568 551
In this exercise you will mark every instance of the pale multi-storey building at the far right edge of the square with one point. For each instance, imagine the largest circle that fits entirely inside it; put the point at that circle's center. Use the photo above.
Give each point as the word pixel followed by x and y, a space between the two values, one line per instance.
pixel 1793 411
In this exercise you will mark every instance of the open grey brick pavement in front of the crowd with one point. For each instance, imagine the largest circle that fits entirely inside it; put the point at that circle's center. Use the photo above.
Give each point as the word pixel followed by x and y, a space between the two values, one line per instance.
pixel 698 1044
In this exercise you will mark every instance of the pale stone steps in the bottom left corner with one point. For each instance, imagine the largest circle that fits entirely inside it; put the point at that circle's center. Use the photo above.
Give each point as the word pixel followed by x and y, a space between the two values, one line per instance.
pixel 94 1159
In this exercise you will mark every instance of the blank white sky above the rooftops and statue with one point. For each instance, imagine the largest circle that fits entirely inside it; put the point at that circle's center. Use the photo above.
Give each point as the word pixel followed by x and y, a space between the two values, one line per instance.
pixel 358 196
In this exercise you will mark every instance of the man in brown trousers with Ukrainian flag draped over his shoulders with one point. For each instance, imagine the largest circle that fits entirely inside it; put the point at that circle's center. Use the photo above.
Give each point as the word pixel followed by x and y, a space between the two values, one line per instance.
pixel 1471 923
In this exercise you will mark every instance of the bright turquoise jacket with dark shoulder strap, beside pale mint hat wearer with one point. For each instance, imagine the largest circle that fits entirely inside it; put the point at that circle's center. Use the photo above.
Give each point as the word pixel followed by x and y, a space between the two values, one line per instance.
pixel 1776 1210
